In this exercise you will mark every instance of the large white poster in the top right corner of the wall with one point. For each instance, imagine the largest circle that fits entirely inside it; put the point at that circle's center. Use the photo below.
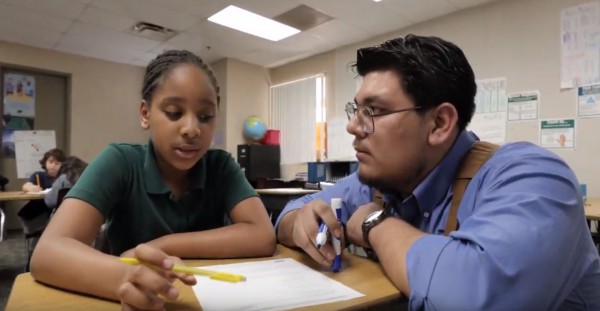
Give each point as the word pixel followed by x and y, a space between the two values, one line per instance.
pixel 580 45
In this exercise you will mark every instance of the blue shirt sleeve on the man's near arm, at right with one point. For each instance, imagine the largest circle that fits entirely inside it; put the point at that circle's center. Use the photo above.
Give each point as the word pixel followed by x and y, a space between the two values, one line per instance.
pixel 521 243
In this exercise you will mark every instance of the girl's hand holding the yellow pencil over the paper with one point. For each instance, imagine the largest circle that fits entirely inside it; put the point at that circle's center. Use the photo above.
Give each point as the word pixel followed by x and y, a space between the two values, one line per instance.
pixel 143 284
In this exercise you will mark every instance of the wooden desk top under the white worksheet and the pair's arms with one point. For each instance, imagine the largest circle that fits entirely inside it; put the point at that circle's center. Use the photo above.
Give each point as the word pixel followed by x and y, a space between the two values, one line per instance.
pixel 359 273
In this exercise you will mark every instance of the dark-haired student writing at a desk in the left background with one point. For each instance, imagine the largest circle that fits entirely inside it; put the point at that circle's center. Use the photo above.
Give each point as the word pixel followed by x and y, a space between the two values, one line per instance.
pixel 50 163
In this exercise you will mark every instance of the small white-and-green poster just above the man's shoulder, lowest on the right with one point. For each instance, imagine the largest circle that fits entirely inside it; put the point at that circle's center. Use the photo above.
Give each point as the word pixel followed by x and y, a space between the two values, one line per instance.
pixel 557 133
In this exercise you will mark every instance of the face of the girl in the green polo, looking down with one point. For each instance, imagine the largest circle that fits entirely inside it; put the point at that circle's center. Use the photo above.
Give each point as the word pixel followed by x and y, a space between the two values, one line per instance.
pixel 181 117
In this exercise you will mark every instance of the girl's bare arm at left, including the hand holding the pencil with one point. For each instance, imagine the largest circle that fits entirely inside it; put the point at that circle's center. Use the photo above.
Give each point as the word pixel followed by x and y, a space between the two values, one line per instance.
pixel 64 258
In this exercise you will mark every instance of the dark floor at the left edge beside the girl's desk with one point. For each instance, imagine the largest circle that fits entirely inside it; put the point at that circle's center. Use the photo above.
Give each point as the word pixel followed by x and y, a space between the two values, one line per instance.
pixel 12 262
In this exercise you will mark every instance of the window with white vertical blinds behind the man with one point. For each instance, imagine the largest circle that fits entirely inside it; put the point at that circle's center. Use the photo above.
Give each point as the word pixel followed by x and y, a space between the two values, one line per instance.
pixel 298 110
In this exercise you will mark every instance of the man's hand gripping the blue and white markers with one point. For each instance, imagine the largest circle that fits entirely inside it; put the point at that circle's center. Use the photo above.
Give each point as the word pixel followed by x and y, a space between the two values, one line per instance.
pixel 306 227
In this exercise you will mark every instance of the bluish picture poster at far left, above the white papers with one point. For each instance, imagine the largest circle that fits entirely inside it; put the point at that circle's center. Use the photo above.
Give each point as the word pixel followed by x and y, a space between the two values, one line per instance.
pixel 19 108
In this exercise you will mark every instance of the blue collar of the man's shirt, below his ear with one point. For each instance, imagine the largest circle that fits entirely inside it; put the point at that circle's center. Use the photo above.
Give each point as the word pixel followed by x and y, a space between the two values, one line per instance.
pixel 434 187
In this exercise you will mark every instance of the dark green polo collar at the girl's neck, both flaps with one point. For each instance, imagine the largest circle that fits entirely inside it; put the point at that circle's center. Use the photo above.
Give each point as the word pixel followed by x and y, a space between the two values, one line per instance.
pixel 154 180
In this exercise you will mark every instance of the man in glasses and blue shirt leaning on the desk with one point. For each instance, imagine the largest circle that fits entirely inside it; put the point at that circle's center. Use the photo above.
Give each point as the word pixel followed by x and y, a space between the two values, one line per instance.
pixel 522 242
